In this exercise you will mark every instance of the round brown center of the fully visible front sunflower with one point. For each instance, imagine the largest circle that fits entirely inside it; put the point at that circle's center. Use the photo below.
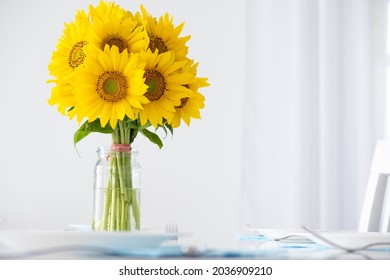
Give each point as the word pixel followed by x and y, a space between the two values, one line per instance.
pixel 111 86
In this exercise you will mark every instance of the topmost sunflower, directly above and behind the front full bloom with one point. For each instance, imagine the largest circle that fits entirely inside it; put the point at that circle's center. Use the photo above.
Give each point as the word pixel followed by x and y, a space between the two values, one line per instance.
pixel 113 26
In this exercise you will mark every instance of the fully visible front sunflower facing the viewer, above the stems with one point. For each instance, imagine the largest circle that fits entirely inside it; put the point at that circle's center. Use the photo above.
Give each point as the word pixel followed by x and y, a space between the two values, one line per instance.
pixel 110 86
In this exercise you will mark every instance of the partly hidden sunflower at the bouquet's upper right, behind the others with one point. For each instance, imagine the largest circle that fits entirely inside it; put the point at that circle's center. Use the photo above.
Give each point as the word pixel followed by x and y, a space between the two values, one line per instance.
pixel 163 35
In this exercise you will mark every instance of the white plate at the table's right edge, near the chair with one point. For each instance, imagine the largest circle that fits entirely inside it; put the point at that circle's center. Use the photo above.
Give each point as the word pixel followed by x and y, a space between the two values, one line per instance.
pixel 353 239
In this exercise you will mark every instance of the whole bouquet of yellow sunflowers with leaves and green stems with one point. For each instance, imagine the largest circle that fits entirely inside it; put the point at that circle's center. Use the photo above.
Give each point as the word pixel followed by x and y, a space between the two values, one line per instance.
pixel 124 74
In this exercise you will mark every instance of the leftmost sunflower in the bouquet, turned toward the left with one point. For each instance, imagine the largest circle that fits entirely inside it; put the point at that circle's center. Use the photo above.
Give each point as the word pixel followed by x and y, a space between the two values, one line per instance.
pixel 70 48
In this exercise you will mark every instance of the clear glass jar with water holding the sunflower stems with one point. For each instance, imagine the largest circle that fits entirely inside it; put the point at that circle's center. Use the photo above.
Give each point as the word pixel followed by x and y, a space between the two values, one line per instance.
pixel 117 183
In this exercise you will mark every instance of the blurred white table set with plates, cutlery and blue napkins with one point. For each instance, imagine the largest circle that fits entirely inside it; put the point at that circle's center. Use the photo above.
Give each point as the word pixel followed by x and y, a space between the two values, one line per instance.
pixel 81 242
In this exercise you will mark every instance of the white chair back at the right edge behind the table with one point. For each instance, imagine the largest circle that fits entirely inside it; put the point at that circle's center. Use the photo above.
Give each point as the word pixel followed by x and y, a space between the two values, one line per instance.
pixel 375 214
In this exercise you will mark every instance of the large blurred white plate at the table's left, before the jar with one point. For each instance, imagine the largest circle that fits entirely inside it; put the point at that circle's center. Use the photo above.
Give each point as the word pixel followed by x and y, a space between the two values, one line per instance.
pixel 19 240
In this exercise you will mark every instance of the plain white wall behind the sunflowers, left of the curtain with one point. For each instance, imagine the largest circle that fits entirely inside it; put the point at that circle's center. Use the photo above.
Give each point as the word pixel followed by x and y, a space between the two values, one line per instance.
pixel 193 181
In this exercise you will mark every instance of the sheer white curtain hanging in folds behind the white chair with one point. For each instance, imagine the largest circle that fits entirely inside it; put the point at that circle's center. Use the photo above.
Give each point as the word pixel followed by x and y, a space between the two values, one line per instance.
pixel 313 111
